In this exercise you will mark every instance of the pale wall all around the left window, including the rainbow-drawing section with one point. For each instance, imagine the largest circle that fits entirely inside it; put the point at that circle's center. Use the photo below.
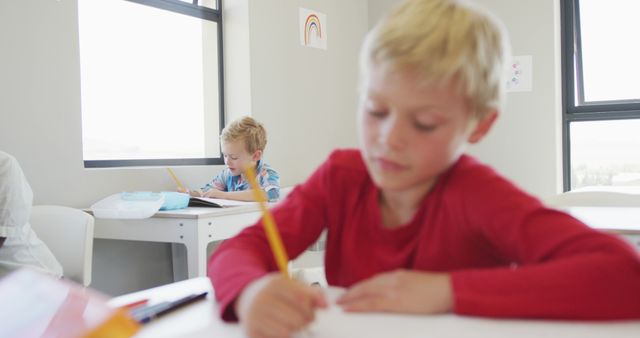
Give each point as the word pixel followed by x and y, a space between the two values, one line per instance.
pixel 305 97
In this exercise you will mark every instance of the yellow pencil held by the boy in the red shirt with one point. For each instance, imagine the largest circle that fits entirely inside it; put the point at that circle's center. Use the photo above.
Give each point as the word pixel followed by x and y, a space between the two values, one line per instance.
pixel 273 236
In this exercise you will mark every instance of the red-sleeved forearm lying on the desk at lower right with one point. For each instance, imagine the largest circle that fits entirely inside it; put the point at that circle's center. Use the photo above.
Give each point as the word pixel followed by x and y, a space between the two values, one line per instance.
pixel 593 286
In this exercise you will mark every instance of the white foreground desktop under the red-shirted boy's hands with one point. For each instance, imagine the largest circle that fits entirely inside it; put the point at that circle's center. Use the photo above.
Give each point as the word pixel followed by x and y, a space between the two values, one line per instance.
pixel 201 320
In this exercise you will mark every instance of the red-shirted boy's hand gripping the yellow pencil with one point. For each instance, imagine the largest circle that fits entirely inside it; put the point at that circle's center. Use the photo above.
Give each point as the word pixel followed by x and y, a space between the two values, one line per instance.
pixel 275 306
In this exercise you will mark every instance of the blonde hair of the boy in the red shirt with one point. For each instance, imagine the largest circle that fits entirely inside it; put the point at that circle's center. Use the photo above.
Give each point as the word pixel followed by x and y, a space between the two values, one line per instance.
pixel 444 40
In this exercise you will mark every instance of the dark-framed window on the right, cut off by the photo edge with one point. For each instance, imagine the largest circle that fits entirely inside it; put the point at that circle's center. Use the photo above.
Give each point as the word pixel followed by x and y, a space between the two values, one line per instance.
pixel 601 97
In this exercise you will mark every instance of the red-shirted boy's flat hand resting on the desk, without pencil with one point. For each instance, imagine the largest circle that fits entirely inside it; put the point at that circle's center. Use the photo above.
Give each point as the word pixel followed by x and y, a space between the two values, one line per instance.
pixel 402 291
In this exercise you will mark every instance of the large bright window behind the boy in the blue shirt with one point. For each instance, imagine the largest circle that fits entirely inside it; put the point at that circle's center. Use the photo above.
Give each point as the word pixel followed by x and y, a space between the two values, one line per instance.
pixel 151 82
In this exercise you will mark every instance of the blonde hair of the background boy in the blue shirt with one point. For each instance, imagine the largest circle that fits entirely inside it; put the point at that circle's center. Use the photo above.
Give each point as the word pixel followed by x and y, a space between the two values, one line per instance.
pixel 247 129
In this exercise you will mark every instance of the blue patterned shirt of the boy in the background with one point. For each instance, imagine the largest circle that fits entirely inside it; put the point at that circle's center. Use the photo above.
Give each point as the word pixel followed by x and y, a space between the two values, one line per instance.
pixel 267 178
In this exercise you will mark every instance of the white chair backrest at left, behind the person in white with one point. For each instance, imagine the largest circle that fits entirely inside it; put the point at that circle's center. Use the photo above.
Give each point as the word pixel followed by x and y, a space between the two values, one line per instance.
pixel 68 233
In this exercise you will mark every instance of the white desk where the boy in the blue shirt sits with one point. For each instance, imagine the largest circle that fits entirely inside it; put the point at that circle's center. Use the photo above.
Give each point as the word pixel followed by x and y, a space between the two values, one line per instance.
pixel 193 227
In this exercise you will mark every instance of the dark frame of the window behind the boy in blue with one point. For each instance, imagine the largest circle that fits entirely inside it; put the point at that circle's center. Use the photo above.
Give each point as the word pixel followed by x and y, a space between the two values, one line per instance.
pixel 201 12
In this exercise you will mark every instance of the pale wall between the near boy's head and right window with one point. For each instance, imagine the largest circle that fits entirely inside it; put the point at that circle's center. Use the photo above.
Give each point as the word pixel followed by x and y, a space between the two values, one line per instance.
pixel 525 143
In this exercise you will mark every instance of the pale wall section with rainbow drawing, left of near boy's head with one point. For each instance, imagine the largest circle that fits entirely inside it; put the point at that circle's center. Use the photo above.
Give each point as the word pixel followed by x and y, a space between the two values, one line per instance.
pixel 305 96
